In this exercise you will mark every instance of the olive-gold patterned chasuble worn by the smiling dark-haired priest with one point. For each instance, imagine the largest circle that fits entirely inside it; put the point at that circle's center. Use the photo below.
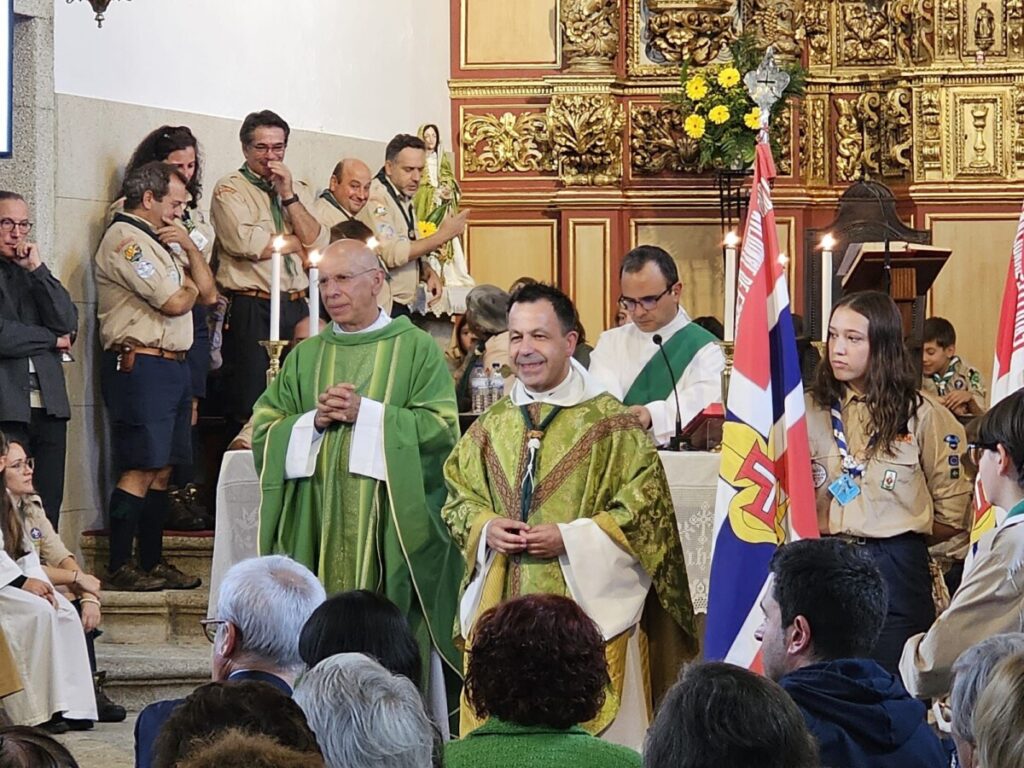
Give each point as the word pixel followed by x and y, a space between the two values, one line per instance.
pixel 595 462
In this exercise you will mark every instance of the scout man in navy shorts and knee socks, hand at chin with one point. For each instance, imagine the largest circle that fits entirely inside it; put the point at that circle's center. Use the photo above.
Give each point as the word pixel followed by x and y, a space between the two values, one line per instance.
pixel 146 295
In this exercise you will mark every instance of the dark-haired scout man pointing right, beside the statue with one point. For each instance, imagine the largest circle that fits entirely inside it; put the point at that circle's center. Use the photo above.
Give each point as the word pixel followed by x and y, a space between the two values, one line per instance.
pixel 391 214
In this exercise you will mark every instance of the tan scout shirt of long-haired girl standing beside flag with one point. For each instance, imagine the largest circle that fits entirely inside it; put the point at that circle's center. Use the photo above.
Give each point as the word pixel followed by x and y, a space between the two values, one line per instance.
pixel 922 483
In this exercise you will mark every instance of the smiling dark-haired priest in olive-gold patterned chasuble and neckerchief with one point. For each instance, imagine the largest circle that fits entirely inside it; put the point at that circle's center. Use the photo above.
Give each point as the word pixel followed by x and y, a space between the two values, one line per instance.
pixel 558 489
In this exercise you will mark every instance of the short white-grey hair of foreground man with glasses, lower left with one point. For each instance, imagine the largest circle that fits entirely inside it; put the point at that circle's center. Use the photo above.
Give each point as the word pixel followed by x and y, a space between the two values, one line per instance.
pixel 270 600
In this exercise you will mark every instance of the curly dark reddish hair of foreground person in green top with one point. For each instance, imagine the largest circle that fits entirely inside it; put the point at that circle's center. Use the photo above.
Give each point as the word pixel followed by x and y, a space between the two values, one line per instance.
pixel 537 660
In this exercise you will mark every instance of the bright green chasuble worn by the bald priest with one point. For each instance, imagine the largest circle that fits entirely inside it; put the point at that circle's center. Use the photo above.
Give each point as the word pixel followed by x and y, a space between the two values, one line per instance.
pixel 356 532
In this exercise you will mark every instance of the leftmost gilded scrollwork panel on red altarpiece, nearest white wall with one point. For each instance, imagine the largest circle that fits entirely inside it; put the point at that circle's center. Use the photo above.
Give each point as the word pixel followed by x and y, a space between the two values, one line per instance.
pixel 507 143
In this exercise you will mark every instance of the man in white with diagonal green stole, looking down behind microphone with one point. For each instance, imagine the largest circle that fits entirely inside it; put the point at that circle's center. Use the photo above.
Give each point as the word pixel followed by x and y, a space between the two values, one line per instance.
pixel 627 360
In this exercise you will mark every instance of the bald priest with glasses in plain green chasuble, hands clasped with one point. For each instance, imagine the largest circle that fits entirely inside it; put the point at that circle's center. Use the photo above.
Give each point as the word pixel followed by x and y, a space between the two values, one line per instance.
pixel 350 443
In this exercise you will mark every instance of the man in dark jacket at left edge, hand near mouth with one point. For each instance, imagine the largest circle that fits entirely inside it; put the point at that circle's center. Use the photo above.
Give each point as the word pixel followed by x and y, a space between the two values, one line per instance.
pixel 38 323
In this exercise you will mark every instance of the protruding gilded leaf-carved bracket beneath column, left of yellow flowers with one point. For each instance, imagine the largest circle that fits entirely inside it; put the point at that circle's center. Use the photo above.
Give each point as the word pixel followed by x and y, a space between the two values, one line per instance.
pixel 586 136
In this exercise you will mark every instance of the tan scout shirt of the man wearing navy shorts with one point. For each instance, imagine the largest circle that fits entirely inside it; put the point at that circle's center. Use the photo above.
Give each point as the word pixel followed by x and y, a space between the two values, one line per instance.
pixel 136 276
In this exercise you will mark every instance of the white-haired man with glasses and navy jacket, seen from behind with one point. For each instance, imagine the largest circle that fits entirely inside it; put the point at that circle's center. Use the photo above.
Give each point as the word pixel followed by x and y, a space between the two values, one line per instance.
pixel 264 605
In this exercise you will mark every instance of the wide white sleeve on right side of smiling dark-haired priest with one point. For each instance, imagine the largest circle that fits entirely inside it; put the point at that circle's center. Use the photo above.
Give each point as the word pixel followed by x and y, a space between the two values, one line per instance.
pixel 606 581
